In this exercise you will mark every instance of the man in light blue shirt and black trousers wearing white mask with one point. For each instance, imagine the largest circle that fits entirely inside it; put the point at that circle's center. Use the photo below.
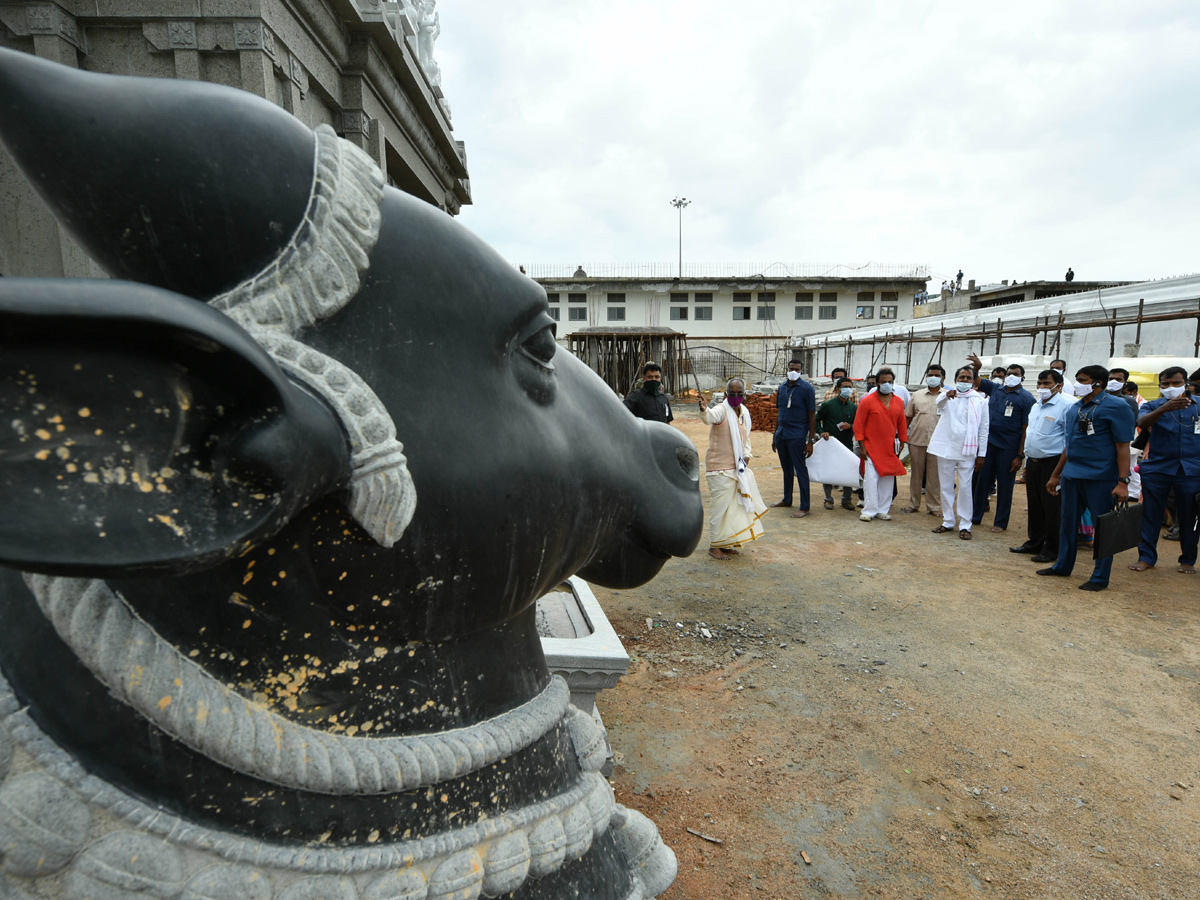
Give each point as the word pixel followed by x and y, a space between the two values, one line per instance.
pixel 1045 443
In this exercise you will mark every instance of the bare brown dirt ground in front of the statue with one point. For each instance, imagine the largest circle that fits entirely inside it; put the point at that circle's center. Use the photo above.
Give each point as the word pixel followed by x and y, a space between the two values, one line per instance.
pixel 917 716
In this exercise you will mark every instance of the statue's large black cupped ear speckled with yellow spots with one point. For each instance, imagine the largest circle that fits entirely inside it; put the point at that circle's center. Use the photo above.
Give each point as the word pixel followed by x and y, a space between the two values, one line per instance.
pixel 146 434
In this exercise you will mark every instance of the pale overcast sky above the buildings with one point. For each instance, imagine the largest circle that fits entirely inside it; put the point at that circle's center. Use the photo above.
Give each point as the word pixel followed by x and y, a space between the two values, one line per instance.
pixel 1011 140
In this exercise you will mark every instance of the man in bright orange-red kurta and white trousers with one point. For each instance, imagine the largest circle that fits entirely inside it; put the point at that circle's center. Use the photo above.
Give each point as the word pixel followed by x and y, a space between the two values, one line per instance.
pixel 879 424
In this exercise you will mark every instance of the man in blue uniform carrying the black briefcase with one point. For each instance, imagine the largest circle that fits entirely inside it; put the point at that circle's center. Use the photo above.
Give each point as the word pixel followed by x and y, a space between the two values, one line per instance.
pixel 1094 471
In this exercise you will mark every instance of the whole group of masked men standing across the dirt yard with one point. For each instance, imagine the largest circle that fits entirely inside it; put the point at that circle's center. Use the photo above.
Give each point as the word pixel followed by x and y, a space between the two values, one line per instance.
pixel 1083 442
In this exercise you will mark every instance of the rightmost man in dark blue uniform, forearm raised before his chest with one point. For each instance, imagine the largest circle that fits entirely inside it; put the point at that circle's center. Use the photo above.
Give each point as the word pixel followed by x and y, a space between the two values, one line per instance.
pixel 1174 461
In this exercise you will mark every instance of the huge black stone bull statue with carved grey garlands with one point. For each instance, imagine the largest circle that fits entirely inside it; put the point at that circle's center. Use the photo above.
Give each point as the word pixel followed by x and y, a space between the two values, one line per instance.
pixel 251 646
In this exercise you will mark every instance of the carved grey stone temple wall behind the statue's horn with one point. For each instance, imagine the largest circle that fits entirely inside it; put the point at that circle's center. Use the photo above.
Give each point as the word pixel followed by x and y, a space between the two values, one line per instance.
pixel 365 68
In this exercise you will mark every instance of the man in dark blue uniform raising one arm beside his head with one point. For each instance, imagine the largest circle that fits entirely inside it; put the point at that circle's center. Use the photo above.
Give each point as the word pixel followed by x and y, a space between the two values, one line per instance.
pixel 1009 410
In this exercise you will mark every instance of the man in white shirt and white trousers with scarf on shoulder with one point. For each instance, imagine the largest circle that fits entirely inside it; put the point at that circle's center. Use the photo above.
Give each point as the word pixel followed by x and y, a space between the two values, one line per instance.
pixel 961 445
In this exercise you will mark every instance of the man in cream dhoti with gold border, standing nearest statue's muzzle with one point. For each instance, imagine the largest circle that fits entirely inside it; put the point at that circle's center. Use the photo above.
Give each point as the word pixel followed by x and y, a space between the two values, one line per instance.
pixel 735 502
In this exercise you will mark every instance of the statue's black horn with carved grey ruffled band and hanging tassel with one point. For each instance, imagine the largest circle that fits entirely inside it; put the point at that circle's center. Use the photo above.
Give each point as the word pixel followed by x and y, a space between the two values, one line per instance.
pixel 163 172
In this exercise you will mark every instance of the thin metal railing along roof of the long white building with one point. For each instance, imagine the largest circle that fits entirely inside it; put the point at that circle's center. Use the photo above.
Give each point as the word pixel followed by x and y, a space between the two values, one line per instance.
pixel 730 271
